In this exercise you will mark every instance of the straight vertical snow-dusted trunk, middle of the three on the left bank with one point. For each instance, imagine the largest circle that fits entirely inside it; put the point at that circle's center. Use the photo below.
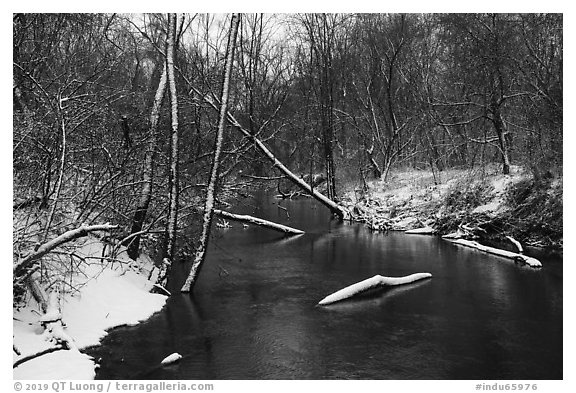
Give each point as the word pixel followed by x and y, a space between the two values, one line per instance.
pixel 173 179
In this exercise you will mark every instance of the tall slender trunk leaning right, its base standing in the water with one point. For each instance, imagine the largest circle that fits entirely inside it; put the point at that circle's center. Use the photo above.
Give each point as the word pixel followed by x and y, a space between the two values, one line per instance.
pixel 211 191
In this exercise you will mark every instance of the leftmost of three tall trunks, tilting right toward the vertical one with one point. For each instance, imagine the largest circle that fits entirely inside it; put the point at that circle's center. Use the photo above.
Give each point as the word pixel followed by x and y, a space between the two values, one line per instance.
pixel 148 175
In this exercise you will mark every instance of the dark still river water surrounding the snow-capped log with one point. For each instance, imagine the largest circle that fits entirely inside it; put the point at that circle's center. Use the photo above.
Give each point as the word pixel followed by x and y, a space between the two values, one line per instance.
pixel 253 313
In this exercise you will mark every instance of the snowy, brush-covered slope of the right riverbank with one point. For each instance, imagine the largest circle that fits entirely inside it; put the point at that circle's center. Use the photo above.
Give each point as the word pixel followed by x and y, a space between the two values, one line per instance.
pixel 481 202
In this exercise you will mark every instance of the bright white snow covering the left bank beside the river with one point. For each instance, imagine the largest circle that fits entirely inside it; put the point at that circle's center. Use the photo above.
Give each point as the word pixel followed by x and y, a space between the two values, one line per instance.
pixel 108 296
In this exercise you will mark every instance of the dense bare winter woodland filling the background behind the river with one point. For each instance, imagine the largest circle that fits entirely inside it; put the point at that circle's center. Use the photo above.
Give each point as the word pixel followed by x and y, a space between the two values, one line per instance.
pixel 115 116
